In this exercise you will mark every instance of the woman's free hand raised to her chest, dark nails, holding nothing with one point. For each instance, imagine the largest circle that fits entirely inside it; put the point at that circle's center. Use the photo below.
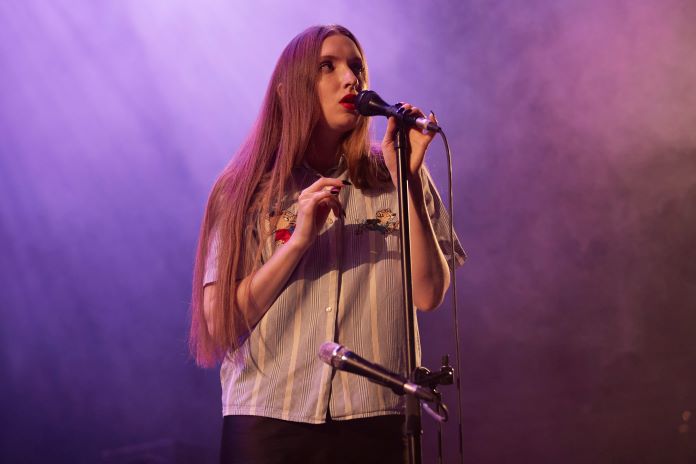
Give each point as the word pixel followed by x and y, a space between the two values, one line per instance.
pixel 313 206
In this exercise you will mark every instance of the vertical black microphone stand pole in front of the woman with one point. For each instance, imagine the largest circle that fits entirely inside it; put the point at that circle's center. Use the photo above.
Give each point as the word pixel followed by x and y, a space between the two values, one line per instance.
pixel 413 427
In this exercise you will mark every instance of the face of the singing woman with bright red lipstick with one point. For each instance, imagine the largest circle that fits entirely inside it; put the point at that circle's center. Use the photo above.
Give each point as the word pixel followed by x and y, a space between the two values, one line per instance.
pixel 340 74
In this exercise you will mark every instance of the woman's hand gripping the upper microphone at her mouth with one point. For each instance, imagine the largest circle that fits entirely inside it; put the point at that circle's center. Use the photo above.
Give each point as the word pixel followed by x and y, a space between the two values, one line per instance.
pixel 418 139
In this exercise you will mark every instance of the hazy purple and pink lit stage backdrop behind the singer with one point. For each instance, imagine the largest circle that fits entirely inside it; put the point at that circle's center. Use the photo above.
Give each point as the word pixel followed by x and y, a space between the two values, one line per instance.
pixel 573 126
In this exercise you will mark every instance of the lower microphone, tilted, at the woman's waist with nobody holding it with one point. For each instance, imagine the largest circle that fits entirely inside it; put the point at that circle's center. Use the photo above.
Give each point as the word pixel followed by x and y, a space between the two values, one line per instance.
pixel 342 359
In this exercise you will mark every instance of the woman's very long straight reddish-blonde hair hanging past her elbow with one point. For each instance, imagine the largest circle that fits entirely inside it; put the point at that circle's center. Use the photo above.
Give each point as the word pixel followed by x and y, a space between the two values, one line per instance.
pixel 260 169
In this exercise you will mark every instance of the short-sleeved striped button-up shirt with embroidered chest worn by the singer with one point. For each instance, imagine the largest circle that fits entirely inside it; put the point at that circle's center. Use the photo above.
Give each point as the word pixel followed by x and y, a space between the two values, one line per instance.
pixel 345 289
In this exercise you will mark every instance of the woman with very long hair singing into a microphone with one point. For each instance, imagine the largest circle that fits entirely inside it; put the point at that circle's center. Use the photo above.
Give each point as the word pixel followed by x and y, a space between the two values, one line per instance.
pixel 298 246
